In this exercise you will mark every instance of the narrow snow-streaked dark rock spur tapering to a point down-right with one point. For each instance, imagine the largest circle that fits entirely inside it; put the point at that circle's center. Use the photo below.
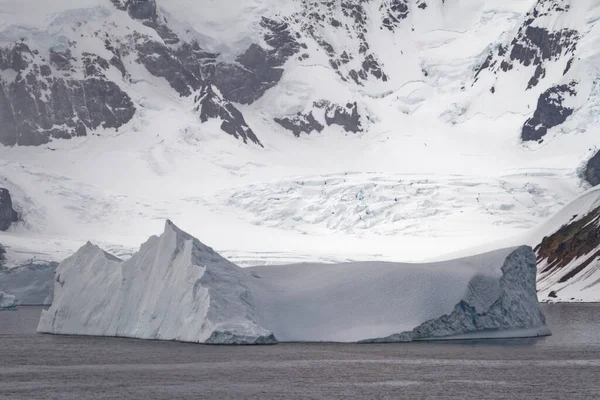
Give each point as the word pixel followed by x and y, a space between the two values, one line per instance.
pixel 211 104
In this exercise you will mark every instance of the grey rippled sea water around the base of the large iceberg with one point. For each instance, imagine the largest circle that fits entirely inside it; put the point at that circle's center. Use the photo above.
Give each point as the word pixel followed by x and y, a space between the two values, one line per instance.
pixel 563 366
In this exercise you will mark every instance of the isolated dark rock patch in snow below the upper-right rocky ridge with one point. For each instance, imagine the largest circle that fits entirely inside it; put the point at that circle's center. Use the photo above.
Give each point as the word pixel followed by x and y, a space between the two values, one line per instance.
pixel 550 112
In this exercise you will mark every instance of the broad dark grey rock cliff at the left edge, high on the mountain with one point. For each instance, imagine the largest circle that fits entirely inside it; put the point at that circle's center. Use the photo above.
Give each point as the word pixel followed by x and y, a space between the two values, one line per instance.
pixel 37 106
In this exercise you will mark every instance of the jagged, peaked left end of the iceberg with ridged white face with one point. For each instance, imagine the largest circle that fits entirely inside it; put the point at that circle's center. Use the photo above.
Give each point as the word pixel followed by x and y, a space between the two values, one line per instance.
pixel 174 288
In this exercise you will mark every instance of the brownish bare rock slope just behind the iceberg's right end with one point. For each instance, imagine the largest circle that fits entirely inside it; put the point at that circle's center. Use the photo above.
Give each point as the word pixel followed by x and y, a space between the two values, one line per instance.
pixel 578 241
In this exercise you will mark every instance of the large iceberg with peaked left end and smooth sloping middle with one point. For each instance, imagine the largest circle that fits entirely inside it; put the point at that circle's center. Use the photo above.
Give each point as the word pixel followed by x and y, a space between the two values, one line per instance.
pixel 176 288
